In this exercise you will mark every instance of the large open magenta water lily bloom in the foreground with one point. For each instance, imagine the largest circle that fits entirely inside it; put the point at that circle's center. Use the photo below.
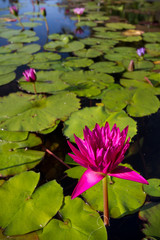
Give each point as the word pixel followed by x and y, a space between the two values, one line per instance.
pixel 101 151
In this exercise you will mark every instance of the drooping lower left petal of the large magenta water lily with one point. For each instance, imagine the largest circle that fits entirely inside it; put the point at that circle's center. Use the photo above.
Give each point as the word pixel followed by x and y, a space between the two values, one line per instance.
pixel 88 180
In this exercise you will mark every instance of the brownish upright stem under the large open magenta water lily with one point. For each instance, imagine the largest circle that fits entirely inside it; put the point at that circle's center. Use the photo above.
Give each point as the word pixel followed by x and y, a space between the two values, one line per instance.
pixel 105 201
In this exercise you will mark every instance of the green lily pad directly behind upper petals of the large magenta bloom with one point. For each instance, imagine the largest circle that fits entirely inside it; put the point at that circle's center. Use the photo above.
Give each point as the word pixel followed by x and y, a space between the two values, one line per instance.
pixel 90 116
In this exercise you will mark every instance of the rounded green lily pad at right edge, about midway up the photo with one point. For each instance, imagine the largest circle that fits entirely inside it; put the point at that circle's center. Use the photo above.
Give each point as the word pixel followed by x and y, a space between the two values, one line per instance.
pixel 143 103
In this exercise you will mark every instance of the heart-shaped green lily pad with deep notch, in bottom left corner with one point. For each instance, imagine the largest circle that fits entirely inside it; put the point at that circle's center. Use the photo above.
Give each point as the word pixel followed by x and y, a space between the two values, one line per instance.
pixel 19 203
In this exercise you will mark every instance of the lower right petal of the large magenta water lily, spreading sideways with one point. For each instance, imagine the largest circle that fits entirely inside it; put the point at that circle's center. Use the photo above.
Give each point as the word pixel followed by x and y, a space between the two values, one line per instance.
pixel 128 174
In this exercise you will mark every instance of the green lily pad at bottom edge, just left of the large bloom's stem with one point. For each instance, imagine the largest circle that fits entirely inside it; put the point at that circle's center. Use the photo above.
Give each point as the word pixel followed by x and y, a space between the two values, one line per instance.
pixel 79 221
